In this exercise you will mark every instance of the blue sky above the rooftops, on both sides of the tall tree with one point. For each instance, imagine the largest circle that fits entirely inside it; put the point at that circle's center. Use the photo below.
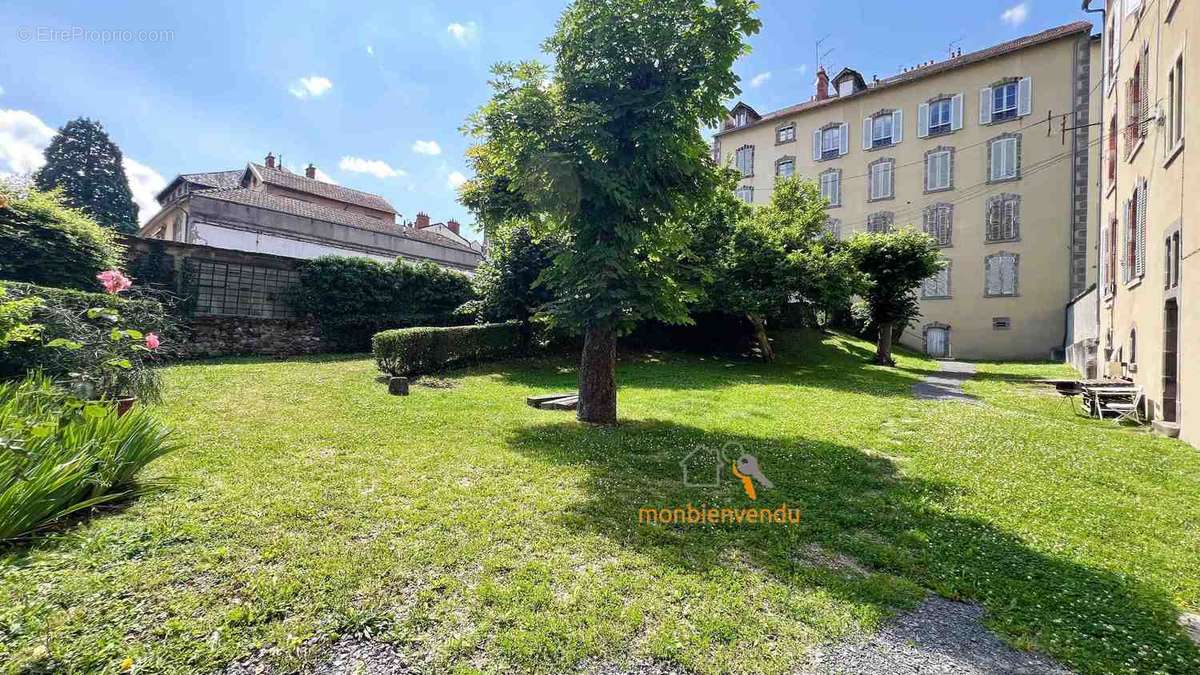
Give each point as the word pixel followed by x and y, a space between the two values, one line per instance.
pixel 375 93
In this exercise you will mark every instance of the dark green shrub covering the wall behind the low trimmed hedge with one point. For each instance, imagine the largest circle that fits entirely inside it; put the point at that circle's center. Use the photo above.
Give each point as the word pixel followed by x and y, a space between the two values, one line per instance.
pixel 355 298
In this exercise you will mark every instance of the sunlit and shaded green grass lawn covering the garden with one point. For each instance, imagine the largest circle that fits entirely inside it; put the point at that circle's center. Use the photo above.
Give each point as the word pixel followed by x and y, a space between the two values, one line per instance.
pixel 479 534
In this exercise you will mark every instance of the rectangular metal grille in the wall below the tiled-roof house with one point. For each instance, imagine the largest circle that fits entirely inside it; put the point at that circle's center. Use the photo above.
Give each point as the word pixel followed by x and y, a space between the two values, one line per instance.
pixel 239 290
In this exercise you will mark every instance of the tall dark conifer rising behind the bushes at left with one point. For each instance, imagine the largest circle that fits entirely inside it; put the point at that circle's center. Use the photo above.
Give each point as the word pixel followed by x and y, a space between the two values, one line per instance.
pixel 85 163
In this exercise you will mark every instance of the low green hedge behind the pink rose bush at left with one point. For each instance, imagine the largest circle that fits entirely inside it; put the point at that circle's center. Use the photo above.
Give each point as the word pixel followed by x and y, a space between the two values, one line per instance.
pixel 57 303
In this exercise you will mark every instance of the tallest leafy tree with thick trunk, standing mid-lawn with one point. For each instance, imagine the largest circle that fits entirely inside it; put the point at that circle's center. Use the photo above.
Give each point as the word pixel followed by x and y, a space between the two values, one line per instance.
pixel 608 154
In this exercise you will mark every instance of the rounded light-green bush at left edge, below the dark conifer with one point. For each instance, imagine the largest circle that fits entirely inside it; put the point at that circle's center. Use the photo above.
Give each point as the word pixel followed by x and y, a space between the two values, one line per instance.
pixel 47 243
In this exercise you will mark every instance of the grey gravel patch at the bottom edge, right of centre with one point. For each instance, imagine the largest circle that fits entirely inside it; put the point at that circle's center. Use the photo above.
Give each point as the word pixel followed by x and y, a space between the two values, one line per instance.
pixel 939 637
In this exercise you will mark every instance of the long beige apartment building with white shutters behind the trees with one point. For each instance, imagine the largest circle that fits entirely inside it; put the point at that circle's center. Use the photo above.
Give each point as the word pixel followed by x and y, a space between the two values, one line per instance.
pixel 961 150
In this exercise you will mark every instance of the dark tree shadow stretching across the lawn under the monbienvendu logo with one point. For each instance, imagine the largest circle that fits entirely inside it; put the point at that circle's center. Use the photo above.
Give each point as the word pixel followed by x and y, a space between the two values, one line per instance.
pixel 859 505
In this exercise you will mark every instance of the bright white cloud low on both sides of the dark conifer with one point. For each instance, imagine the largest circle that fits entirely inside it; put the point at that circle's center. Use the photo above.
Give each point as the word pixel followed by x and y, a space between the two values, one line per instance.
pixel 23 141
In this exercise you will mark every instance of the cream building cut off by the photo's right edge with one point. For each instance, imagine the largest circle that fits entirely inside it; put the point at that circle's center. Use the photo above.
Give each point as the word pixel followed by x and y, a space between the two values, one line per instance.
pixel 1149 319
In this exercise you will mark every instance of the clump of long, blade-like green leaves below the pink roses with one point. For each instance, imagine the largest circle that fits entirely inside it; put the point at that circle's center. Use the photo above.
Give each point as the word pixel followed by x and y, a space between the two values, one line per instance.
pixel 61 457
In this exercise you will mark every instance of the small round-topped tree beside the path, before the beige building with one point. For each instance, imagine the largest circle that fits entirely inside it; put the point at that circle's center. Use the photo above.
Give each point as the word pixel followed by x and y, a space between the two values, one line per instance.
pixel 893 265
